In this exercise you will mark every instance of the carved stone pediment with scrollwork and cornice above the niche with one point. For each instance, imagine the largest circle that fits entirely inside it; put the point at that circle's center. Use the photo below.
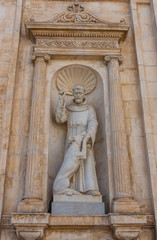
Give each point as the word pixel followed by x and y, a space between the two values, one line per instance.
pixel 76 29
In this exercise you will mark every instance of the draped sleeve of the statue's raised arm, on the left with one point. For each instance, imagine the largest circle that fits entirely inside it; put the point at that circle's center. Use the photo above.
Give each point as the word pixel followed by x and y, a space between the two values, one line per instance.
pixel 61 115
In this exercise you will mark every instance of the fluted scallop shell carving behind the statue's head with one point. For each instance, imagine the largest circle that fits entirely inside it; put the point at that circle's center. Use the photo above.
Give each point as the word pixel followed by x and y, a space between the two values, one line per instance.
pixel 69 76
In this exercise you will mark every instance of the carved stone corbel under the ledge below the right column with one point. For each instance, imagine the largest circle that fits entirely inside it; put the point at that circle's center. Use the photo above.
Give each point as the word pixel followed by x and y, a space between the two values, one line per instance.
pixel 127 233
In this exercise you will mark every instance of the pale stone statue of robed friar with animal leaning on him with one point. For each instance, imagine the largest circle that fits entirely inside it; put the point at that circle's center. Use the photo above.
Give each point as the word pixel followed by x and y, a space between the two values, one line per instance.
pixel 77 174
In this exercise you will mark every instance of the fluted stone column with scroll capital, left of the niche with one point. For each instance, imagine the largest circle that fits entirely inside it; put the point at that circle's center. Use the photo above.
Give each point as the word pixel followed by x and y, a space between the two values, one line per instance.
pixel 33 198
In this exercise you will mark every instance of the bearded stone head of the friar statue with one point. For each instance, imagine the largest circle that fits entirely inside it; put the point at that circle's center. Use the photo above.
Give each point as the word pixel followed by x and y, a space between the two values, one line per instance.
pixel 79 93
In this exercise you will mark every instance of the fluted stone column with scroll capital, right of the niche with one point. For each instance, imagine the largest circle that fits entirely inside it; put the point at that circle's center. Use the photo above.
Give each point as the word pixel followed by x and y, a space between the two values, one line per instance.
pixel 123 201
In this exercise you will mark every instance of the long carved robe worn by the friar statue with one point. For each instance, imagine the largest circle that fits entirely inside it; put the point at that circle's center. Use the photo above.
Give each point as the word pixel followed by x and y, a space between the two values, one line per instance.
pixel 80 118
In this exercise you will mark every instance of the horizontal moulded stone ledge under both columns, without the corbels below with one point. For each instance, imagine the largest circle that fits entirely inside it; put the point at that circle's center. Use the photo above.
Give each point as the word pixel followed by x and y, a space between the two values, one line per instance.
pixel 108 220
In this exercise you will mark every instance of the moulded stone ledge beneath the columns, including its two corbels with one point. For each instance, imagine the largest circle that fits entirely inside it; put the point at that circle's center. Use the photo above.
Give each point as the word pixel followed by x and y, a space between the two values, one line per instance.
pixel 124 226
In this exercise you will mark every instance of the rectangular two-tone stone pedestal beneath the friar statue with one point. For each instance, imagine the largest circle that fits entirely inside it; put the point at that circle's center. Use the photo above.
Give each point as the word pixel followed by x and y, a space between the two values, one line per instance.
pixel 77 205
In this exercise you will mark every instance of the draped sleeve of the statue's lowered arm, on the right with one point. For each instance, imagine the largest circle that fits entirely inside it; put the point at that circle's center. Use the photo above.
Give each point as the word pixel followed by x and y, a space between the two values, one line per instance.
pixel 92 124
